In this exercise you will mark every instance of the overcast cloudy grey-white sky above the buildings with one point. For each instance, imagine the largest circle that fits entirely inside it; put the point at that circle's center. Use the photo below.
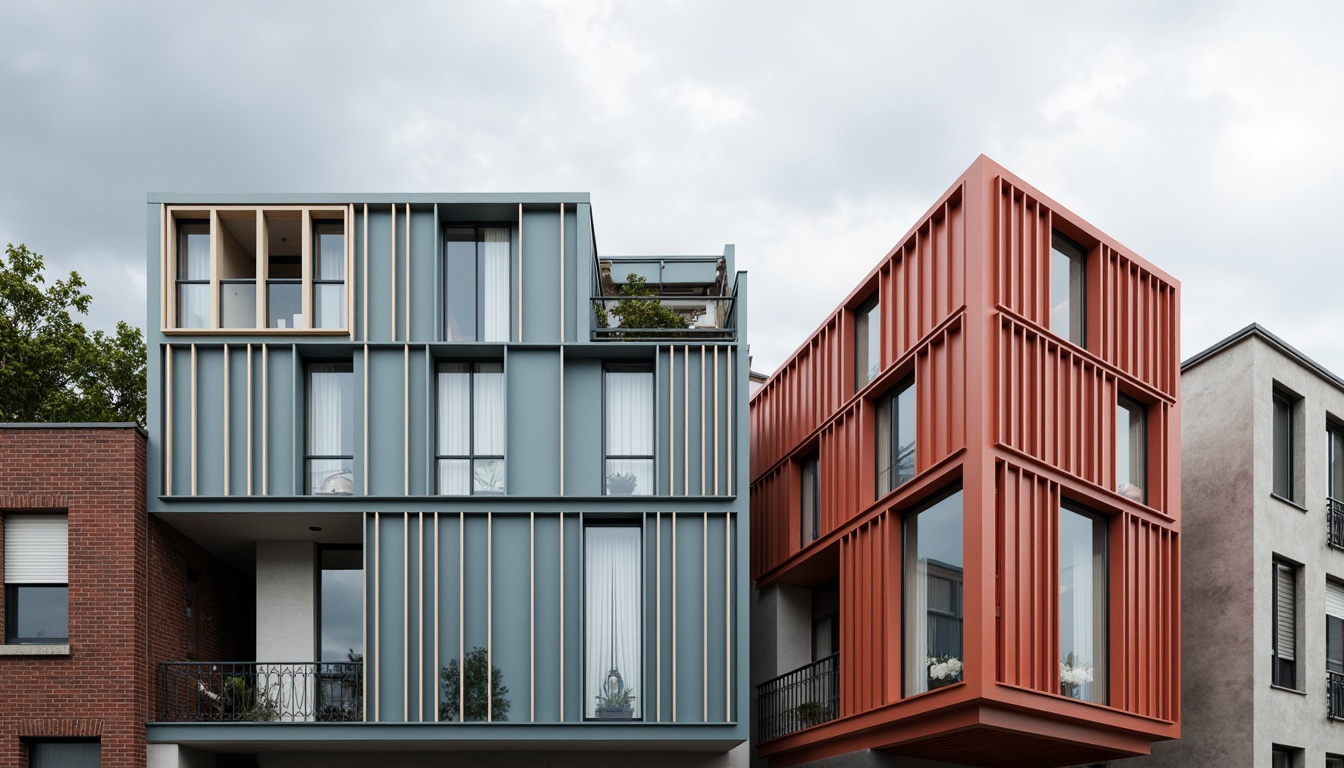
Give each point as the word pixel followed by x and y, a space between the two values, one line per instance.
pixel 1208 138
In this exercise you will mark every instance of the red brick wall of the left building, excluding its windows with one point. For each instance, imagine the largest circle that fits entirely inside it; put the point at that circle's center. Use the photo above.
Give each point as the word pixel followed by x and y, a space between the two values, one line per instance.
pixel 103 688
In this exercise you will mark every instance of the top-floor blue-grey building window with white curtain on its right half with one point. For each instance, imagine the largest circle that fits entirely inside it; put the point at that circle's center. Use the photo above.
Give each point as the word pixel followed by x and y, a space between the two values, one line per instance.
pixel 476 282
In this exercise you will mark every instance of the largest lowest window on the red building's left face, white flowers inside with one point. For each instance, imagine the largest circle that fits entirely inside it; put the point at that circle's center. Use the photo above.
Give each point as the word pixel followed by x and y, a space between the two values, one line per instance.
pixel 933 595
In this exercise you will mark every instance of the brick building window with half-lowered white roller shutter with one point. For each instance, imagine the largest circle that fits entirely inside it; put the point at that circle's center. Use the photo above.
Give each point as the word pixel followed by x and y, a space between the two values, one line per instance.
pixel 37 579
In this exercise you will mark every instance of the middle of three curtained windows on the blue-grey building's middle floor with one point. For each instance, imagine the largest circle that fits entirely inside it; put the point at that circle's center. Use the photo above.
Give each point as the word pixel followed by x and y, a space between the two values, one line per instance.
pixel 471 428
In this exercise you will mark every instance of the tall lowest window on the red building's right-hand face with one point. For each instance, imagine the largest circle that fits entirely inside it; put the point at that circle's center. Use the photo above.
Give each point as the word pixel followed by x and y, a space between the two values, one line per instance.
pixel 1083 606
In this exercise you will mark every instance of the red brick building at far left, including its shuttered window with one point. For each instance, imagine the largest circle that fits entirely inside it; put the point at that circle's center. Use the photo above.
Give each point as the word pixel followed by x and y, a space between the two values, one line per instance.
pixel 83 564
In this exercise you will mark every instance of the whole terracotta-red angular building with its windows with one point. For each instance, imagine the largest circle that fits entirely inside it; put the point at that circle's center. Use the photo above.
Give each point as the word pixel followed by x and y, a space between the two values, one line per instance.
pixel 1006 380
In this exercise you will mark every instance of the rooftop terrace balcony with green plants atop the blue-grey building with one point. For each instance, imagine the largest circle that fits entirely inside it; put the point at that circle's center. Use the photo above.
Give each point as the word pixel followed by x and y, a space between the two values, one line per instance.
pixel 659 299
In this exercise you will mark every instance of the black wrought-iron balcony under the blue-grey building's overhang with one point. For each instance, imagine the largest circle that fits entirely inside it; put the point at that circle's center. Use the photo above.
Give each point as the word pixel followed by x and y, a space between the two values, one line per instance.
pixel 261 692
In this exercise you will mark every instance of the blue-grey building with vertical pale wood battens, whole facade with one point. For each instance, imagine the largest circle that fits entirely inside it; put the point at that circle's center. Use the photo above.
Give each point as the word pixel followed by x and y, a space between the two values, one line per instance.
pixel 491 486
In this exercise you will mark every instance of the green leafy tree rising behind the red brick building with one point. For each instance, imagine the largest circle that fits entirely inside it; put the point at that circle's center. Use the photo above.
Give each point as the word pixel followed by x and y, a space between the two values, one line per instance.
pixel 52 369
